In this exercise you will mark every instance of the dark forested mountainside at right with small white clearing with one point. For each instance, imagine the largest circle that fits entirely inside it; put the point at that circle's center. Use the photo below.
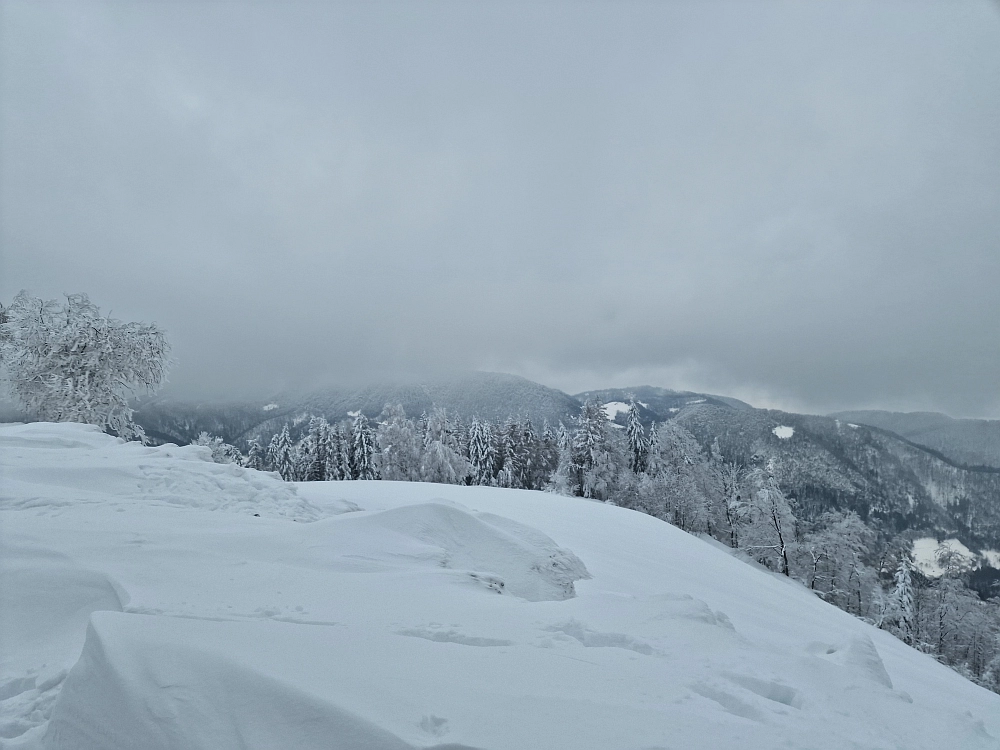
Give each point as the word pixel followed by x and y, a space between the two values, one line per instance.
pixel 827 464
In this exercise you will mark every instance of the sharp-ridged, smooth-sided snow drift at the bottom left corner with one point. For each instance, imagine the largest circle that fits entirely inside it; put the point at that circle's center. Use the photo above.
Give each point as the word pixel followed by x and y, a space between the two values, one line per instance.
pixel 136 686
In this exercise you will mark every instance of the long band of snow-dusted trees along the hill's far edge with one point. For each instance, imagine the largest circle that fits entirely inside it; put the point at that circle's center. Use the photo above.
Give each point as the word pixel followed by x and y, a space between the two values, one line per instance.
pixel 666 473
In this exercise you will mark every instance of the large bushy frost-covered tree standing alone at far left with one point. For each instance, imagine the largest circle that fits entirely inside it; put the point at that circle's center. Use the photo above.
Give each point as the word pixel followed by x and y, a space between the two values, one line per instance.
pixel 67 363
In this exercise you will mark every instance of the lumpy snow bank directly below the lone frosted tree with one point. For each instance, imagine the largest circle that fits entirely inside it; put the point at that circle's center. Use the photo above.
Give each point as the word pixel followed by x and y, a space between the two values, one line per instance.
pixel 48 465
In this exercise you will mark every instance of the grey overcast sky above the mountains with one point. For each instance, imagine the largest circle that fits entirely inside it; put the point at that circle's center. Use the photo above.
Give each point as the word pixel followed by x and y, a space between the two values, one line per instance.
pixel 793 203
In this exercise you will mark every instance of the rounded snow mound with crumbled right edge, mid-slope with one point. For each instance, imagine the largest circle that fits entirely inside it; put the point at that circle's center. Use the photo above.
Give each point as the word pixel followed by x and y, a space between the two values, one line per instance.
pixel 495 552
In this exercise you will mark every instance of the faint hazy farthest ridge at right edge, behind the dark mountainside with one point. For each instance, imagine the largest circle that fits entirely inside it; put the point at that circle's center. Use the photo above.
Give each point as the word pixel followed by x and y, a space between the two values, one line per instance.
pixel 974 442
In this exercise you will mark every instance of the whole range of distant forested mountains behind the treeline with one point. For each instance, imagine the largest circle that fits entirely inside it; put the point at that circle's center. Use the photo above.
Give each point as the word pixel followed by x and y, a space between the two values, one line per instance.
pixel 922 472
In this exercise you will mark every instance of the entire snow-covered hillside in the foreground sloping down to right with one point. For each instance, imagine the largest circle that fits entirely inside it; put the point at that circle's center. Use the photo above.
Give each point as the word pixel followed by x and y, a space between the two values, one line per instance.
pixel 146 605
